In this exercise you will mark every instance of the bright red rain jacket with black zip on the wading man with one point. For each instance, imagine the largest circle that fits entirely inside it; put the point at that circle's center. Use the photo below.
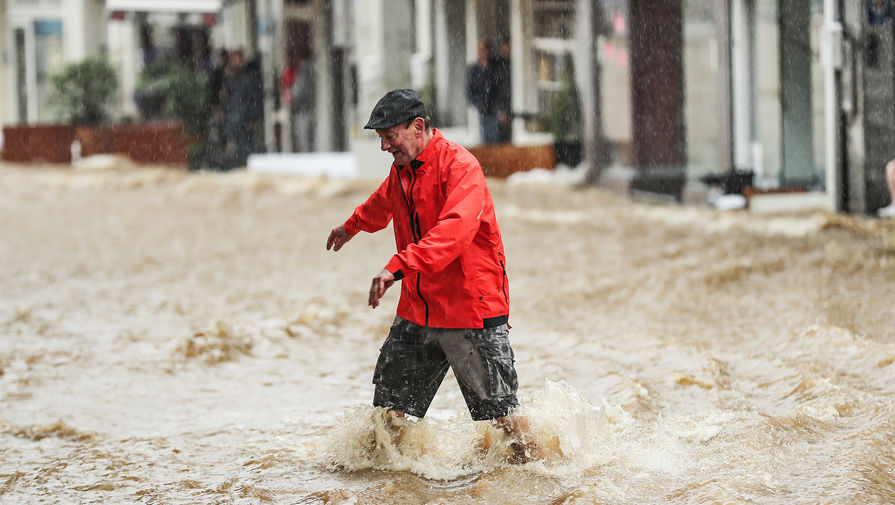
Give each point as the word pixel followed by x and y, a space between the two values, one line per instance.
pixel 450 253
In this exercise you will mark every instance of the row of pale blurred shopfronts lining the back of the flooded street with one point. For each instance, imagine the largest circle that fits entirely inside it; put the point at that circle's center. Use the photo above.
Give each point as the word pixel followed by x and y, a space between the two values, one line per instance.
pixel 800 92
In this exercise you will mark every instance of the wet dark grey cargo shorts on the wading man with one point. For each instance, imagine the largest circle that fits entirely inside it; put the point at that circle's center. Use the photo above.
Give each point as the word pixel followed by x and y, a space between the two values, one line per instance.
pixel 414 360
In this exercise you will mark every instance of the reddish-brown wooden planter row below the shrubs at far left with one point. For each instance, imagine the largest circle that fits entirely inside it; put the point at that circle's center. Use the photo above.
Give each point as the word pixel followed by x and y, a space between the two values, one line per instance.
pixel 162 142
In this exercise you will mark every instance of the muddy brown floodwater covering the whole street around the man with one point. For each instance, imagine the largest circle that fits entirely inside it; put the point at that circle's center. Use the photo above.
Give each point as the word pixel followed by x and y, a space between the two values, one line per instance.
pixel 172 337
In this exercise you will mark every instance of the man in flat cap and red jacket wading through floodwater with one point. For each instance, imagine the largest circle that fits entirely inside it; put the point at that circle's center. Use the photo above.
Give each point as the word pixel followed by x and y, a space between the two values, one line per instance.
pixel 454 303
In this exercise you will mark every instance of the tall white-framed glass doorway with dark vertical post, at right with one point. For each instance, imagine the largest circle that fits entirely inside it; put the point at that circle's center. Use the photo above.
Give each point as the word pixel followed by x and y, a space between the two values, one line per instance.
pixel 777 90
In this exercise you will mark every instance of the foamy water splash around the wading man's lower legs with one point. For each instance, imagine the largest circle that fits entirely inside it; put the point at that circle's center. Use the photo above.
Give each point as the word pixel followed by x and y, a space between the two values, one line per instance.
pixel 572 435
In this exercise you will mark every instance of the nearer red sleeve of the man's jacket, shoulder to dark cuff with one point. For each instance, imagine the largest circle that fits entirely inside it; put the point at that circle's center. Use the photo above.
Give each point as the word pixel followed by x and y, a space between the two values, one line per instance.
pixel 457 224
